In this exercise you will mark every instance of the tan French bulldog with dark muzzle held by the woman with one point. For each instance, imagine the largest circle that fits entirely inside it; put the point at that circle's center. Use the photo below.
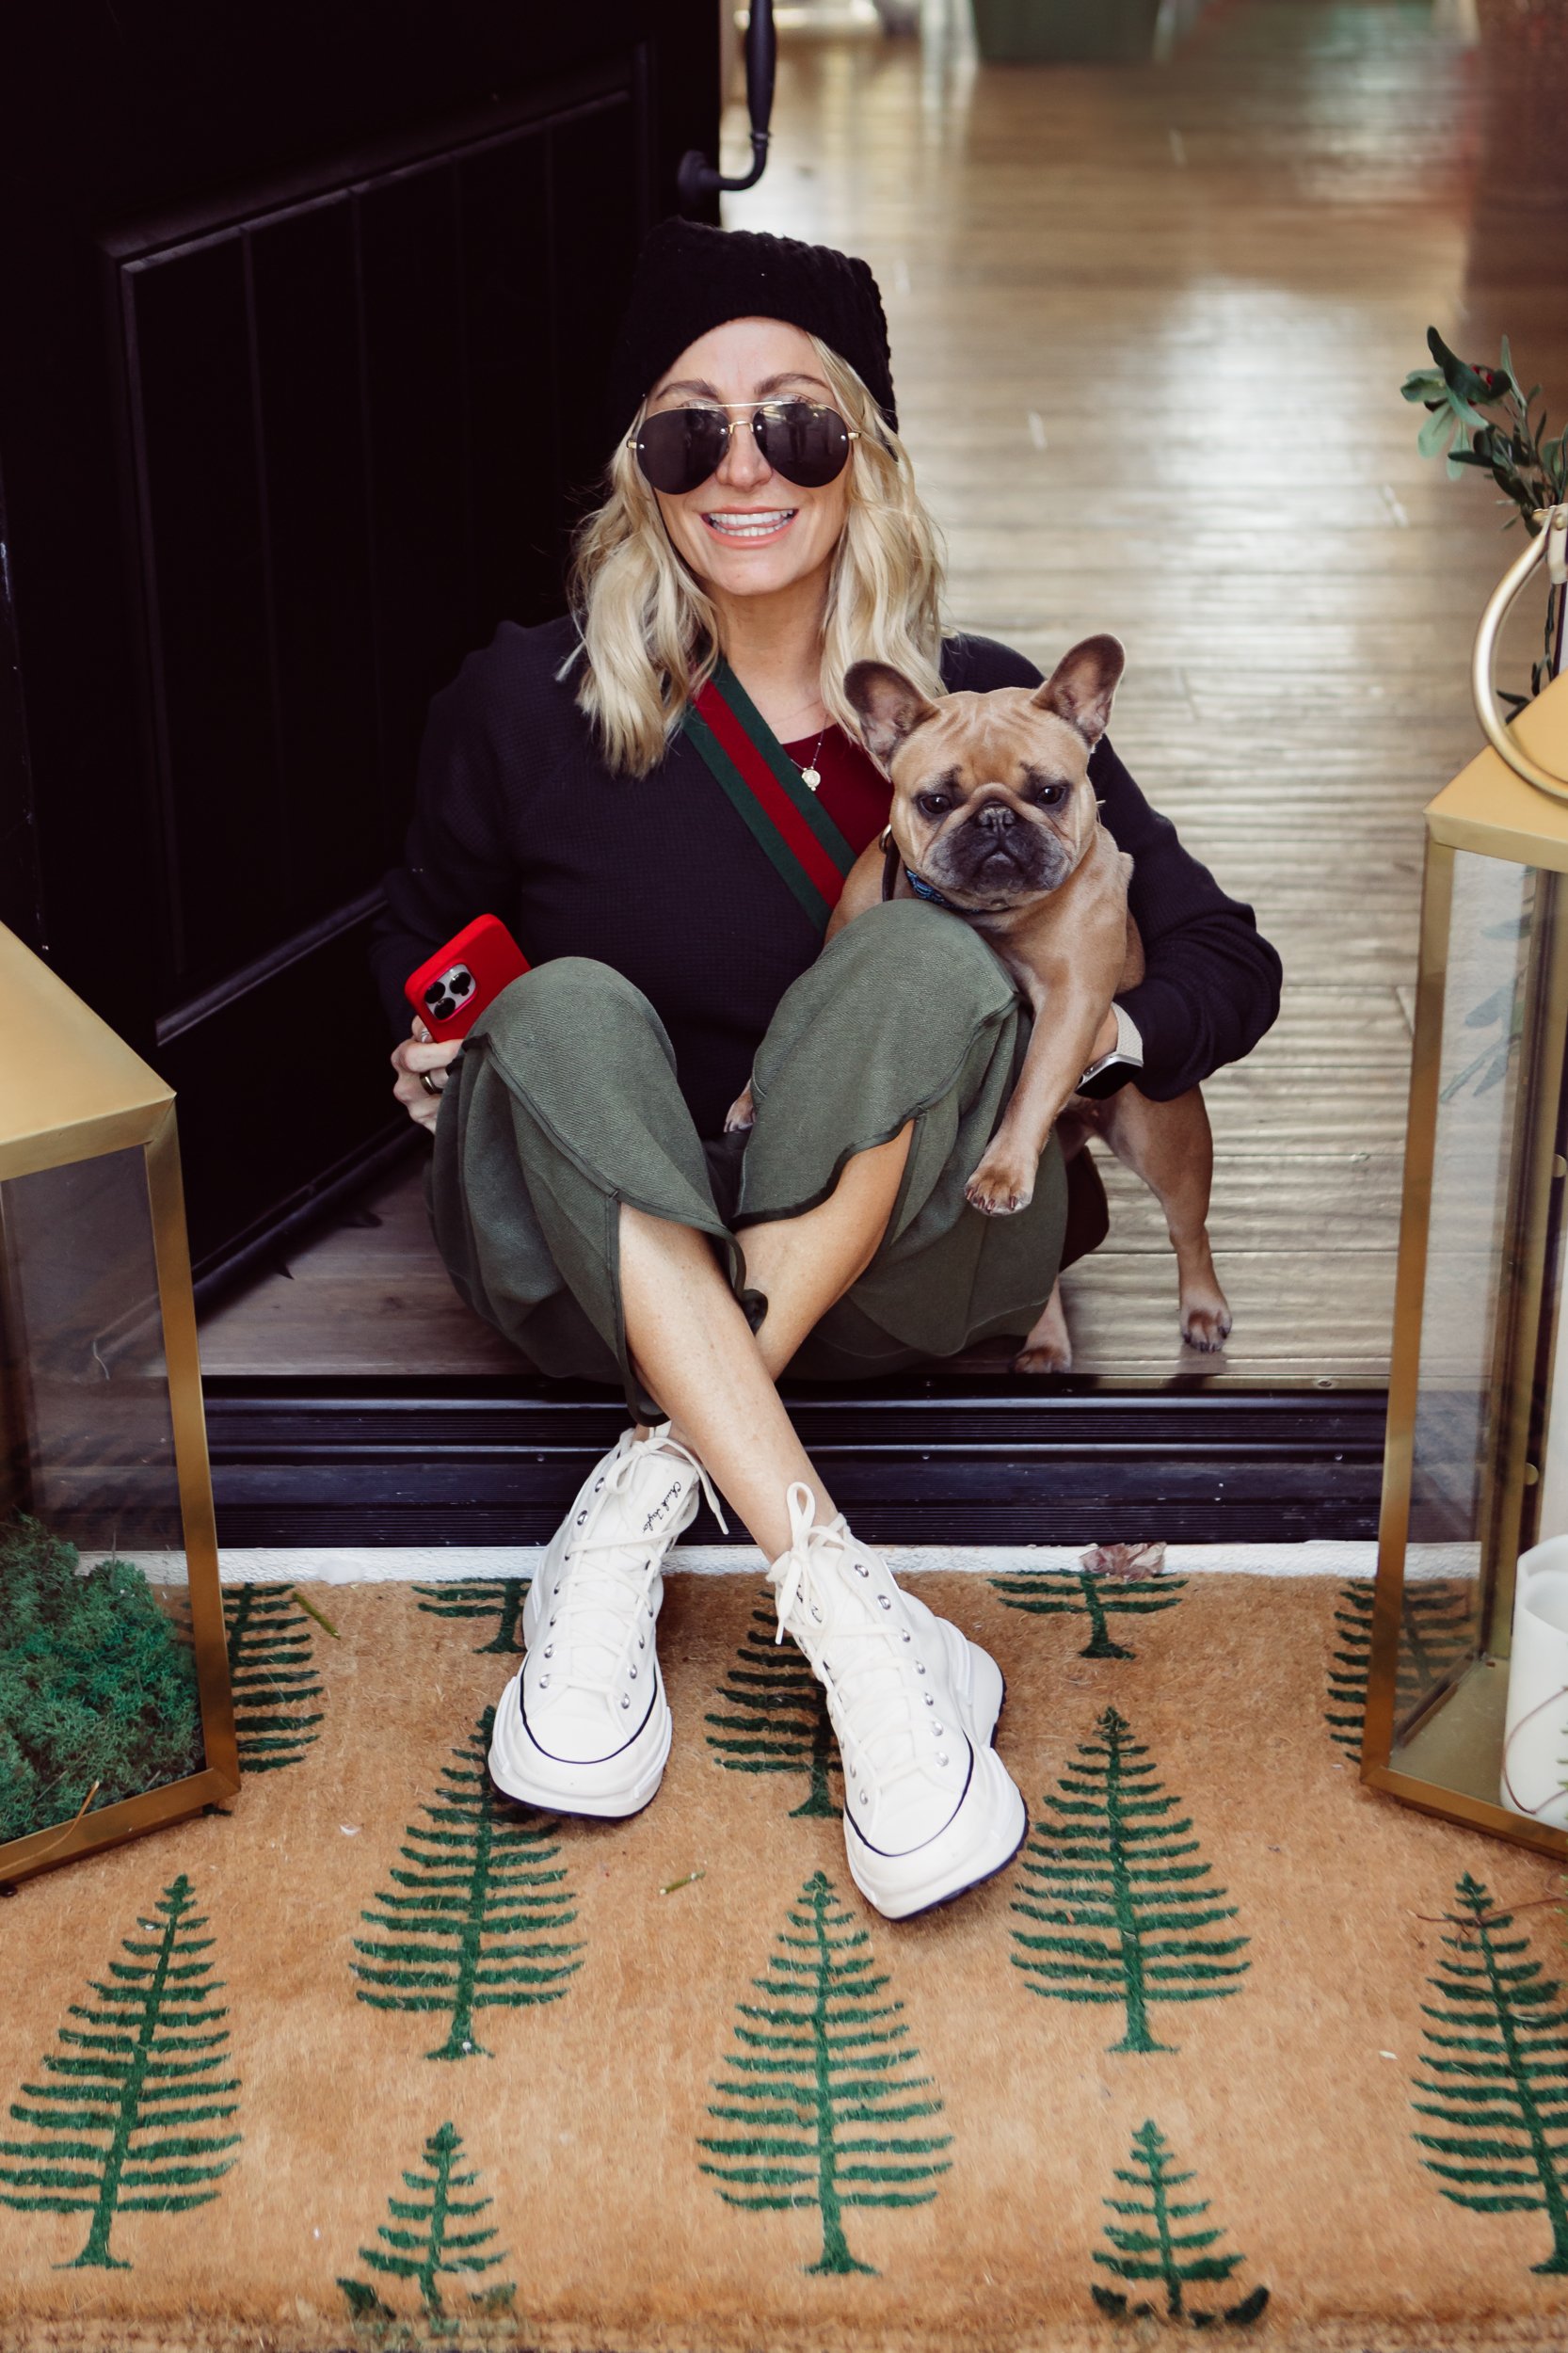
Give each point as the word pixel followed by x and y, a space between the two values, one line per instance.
pixel 995 813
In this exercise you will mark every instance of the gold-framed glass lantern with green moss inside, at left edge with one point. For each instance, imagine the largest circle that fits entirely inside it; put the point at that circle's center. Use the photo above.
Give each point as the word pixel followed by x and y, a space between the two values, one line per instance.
pixel 114 1677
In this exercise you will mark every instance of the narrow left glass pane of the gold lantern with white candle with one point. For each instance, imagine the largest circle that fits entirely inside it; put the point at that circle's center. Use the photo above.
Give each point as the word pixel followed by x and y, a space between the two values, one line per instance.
pixel 1475 1182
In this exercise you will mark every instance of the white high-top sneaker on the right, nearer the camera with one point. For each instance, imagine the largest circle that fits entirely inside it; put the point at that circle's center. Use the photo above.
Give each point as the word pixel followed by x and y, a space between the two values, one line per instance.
pixel 929 1808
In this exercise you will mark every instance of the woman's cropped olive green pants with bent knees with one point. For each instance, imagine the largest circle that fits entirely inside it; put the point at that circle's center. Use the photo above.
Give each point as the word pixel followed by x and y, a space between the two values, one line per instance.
pixel 564 1105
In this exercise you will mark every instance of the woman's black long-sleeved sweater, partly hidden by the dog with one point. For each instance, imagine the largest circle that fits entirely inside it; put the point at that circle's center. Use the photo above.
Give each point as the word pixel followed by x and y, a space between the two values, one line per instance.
pixel 517 815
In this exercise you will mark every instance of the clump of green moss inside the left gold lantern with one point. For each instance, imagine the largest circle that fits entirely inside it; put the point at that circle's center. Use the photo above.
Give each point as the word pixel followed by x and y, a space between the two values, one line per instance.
pixel 95 1684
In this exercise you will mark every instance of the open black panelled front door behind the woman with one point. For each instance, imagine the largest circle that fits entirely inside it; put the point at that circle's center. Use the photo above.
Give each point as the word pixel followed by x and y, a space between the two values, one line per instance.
pixel 303 326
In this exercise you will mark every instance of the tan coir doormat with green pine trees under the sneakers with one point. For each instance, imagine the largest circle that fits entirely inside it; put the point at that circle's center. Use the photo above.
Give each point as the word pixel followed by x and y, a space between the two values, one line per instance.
pixel 378 2060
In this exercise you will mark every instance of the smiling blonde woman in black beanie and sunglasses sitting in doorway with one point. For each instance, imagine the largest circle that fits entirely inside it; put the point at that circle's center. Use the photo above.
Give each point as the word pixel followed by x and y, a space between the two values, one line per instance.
pixel 660 796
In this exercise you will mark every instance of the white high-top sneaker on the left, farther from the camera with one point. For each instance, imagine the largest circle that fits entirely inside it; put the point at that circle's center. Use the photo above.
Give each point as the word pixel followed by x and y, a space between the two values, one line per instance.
pixel 585 1726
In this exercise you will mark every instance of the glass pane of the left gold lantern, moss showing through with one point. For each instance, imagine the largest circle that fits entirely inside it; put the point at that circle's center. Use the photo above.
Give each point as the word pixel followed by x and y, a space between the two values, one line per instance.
pixel 98 1677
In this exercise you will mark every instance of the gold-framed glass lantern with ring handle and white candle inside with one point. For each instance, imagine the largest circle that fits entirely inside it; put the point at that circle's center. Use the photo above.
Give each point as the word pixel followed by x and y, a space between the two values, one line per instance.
pixel 1468 1695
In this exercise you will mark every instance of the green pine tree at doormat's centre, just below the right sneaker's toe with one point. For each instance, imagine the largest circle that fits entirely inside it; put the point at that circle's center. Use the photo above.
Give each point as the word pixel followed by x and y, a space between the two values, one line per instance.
pixel 820 2086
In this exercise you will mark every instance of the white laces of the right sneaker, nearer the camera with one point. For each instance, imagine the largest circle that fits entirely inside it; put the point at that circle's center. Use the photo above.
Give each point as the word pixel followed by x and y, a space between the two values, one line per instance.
pixel 861 1651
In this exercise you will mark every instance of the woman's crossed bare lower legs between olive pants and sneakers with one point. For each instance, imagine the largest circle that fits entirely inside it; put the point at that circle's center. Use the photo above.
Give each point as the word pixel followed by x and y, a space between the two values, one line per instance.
pixel 700 1359
